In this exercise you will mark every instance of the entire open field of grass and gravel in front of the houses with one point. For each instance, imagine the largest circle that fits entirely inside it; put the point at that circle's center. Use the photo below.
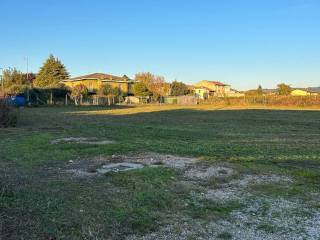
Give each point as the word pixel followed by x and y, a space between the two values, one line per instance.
pixel 265 166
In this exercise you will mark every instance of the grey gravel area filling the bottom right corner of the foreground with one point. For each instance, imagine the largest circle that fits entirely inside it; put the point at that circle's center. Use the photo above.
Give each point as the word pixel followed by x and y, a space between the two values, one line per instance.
pixel 263 218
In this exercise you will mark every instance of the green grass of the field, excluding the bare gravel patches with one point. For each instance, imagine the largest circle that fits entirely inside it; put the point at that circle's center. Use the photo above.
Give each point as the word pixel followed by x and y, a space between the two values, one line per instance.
pixel 36 203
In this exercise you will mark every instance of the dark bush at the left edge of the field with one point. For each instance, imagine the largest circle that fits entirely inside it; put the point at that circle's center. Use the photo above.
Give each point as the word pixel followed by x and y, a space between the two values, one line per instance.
pixel 8 117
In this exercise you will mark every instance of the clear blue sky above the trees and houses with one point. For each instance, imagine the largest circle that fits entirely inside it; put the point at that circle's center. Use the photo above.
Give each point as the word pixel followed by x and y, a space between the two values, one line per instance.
pixel 241 42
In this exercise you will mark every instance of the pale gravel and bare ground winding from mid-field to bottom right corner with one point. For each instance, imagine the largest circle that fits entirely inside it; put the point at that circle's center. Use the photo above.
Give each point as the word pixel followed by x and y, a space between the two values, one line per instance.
pixel 262 217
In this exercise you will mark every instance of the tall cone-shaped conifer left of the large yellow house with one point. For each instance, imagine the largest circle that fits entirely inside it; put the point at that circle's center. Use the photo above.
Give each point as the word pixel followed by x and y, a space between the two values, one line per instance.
pixel 51 73
